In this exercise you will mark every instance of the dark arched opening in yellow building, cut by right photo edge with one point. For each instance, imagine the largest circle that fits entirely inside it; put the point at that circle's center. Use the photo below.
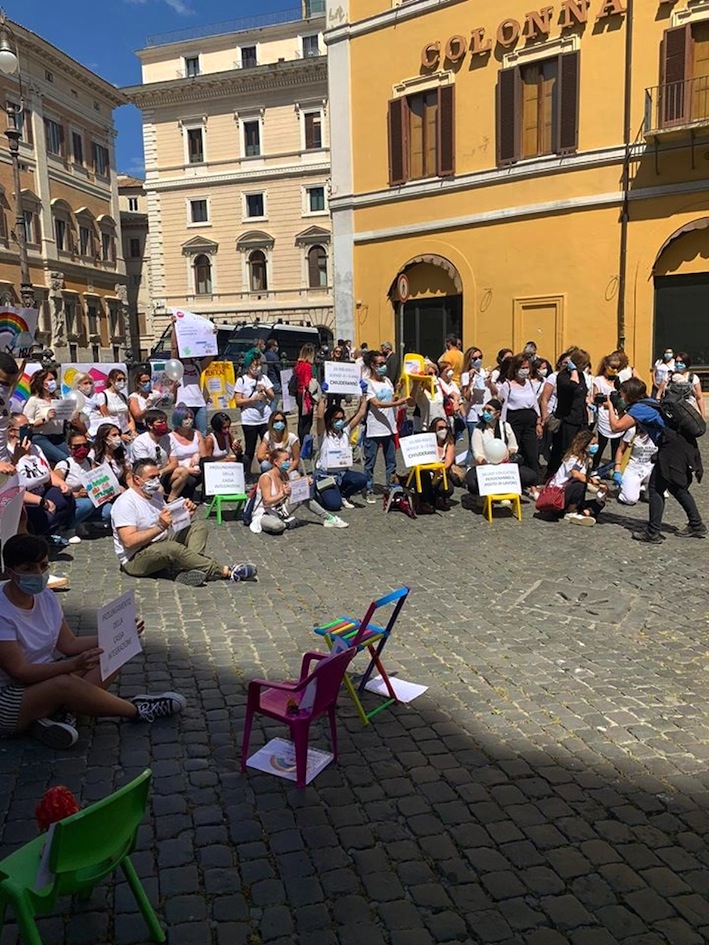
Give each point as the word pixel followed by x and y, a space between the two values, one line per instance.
pixel 681 276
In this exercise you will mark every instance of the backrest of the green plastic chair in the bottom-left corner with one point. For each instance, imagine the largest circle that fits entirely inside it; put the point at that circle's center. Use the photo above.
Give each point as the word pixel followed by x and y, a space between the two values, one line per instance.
pixel 92 842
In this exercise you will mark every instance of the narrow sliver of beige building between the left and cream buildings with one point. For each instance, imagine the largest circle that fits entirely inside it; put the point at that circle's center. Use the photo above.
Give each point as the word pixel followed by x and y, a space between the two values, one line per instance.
pixel 133 205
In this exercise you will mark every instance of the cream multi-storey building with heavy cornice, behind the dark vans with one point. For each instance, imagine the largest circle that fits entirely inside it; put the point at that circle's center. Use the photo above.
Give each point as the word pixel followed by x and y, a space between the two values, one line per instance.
pixel 237 156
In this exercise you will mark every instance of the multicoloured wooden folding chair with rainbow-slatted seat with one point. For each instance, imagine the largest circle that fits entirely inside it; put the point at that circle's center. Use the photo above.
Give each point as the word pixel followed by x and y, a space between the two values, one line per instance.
pixel 360 635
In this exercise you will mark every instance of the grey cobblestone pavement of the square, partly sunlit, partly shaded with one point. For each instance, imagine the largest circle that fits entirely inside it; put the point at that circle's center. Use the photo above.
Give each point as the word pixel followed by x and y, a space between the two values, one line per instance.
pixel 549 787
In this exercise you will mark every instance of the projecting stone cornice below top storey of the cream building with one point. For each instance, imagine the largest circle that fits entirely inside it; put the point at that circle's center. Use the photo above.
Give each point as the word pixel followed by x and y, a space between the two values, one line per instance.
pixel 276 75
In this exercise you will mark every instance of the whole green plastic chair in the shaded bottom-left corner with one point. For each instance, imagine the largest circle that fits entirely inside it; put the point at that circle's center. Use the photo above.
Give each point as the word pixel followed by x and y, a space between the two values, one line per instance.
pixel 85 847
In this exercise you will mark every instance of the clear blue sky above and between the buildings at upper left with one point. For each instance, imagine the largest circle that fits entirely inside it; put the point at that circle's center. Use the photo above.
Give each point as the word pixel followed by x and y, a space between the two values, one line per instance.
pixel 104 36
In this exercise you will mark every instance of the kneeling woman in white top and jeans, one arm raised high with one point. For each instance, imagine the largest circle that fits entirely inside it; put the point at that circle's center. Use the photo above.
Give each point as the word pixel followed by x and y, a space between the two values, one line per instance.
pixel 334 460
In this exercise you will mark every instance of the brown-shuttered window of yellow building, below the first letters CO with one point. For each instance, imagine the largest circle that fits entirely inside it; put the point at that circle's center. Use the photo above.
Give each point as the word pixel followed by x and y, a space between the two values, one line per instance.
pixel 422 135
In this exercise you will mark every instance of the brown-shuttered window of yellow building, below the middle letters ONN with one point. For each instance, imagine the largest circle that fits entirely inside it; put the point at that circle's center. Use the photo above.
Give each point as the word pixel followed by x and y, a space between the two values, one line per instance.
pixel 537 109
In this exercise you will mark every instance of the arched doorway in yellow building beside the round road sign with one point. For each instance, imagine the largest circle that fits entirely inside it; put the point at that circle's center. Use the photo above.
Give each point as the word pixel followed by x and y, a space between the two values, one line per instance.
pixel 433 309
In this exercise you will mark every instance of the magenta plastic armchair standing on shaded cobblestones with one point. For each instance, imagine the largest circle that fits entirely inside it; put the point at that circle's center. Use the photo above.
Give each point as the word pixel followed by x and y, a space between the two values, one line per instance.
pixel 281 701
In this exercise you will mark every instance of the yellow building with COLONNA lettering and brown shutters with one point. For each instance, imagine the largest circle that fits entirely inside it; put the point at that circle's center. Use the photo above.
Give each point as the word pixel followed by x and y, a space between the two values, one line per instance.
pixel 532 173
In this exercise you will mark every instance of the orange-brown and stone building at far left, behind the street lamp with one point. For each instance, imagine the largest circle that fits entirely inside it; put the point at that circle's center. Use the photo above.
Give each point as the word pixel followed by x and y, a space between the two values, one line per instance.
pixel 69 200
